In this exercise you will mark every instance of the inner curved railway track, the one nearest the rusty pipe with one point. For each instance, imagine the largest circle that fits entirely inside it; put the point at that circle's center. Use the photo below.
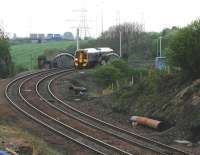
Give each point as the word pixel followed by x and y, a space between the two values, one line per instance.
pixel 120 133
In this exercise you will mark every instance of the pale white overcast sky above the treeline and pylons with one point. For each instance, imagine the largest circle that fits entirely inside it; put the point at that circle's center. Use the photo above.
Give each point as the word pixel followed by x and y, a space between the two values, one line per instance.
pixel 58 16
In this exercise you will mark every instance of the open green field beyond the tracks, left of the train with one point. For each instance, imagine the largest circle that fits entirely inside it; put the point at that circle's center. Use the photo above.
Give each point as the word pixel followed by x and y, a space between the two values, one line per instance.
pixel 25 55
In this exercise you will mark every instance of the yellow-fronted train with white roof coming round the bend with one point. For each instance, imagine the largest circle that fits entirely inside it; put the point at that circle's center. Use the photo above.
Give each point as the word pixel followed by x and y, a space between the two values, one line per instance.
pixel 90 57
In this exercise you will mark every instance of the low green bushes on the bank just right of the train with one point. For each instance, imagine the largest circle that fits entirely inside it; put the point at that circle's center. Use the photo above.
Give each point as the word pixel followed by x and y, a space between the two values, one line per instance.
pixel 124 73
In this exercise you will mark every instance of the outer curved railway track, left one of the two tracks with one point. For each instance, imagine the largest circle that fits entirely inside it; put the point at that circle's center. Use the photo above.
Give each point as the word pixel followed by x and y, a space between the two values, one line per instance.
pixel 24 107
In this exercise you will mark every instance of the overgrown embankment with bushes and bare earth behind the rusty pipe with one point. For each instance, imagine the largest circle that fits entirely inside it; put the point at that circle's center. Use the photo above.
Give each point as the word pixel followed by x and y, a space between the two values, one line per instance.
pixel 155 94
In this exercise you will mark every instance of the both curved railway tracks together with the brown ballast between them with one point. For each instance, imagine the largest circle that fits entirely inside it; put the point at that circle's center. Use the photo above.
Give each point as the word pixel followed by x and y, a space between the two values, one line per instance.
pixel 42 106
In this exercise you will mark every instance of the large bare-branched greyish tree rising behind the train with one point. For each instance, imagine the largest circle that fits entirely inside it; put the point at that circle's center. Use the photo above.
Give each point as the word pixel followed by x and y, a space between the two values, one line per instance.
pixel 131 36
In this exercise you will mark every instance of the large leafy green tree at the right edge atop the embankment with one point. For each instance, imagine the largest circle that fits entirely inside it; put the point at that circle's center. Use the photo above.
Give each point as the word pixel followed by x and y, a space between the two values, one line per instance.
pixel 184 50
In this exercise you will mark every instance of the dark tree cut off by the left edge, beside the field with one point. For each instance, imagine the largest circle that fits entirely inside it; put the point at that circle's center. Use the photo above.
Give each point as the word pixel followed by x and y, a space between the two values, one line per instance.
pixel 5 57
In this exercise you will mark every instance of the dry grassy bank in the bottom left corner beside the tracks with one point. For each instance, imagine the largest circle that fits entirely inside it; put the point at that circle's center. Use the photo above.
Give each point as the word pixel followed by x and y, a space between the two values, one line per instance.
pixel 12 137
